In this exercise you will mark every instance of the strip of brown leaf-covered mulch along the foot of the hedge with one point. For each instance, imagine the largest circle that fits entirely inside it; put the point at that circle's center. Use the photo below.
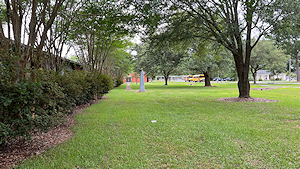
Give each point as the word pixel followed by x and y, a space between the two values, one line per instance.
pixel 16 150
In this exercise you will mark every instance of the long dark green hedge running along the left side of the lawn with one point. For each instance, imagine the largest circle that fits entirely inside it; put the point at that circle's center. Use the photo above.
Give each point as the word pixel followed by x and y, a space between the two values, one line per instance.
pixel 27 107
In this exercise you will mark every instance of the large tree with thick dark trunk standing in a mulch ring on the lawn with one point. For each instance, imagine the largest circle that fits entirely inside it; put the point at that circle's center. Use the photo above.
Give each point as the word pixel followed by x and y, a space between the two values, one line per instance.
pixel 228 22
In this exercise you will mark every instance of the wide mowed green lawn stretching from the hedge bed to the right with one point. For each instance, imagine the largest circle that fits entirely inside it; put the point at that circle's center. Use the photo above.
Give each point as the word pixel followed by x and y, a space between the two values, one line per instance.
pixel 193 130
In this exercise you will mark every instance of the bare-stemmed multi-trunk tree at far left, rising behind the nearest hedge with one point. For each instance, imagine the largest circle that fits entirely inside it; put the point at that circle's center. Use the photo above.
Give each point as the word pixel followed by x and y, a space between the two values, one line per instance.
pixel 29 22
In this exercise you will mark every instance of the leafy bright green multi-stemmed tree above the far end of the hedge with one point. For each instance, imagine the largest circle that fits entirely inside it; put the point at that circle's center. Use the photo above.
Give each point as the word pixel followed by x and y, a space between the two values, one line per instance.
pixel 99 32
